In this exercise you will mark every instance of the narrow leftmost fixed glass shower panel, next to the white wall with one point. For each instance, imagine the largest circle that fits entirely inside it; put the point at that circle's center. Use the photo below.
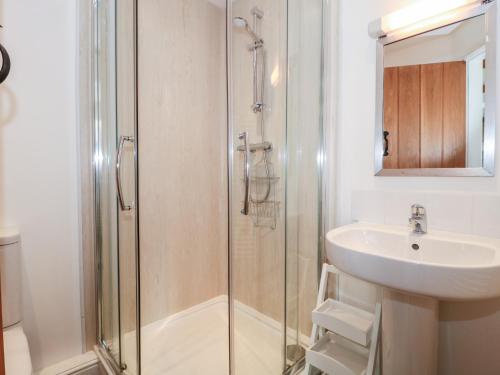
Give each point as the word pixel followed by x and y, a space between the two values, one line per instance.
pixel 105 192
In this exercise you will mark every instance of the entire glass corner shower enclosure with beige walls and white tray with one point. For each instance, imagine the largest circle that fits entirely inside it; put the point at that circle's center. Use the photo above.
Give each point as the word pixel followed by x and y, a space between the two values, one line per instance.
pixel 208 196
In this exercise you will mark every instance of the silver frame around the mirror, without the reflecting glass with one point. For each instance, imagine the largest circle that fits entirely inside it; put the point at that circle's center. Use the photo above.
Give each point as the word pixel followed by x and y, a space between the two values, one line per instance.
pixel 488 9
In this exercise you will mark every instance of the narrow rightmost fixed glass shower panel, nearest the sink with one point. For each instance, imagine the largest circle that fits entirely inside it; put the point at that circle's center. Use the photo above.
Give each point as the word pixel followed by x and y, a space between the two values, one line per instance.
pixel 304 170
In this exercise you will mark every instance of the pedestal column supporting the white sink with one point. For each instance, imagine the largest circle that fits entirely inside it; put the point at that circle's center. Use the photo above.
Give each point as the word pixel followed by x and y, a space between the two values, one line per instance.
pixel 409 334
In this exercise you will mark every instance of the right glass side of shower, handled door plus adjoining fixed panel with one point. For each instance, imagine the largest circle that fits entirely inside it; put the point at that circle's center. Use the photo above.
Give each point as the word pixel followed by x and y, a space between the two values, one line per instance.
pixel 276 223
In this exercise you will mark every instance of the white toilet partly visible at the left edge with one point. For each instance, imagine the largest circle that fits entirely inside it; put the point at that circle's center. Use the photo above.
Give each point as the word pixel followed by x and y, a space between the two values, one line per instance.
pixel 17 353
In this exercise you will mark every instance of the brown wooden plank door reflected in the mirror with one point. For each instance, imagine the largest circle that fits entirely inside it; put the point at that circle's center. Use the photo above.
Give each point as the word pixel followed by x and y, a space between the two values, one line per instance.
pixel 429 130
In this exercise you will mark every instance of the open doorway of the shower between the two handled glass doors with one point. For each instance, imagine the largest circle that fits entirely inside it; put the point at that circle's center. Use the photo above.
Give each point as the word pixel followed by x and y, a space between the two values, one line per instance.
pixel 183 194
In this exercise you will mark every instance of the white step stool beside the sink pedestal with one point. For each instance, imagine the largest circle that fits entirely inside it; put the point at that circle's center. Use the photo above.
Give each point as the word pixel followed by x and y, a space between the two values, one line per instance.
pixel 344 339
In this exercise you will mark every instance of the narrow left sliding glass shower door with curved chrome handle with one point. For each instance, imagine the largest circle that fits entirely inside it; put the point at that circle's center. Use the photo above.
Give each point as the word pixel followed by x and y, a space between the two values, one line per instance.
pixel 127 217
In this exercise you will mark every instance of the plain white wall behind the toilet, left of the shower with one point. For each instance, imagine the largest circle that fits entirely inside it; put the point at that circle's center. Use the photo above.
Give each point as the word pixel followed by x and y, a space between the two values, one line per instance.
pixel 38 169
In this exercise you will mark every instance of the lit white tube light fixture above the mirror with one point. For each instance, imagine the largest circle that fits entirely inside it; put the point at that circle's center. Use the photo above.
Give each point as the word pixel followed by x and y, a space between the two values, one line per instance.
pixel 419 15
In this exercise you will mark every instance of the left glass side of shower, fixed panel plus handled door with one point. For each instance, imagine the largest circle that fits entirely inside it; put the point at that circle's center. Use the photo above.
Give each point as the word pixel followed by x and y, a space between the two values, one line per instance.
pixel 115 190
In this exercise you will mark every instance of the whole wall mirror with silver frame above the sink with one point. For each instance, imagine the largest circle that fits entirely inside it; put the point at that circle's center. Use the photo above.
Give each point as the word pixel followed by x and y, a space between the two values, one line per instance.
pixel 436 99
